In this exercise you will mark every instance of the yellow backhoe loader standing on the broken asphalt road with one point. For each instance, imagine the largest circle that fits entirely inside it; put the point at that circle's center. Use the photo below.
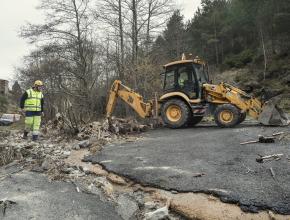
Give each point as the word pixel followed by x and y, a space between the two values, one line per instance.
pixel 188 95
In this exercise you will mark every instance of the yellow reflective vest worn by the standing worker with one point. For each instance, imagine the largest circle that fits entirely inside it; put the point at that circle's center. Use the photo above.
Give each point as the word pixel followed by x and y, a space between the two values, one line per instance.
pixel 33 101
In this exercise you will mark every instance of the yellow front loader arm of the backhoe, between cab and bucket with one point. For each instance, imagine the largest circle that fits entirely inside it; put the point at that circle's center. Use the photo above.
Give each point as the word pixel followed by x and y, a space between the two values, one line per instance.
pixel 225 93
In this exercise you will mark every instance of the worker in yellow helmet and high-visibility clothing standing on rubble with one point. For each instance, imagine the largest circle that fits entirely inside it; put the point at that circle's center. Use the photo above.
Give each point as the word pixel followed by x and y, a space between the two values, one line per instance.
pixel 31 105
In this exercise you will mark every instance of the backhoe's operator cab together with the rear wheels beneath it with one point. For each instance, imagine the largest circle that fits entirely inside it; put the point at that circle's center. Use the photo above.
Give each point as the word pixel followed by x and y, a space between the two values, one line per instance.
pixel 181 102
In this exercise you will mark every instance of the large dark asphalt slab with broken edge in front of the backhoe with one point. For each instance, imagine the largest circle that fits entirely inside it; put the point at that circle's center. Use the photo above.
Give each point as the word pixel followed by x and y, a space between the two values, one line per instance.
pixel 170 159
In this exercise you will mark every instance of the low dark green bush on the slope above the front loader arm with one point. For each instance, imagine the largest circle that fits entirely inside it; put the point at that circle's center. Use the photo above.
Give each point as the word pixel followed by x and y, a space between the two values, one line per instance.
pixel 240 60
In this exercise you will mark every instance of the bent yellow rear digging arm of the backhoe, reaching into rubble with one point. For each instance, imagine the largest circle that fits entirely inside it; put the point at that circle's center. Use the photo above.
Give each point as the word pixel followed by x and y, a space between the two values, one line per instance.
pixel 133 99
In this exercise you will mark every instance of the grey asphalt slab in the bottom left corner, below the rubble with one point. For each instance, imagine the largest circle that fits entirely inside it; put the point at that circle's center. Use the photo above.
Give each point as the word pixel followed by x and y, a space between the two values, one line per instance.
pixel 37 198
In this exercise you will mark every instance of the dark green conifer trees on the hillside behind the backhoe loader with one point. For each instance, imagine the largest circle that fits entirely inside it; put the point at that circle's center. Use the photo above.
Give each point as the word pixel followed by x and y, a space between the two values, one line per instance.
pixel 222 31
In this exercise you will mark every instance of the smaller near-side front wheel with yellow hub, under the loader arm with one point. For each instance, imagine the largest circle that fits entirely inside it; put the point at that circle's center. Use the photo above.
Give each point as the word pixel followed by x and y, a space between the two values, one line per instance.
pixel 227 116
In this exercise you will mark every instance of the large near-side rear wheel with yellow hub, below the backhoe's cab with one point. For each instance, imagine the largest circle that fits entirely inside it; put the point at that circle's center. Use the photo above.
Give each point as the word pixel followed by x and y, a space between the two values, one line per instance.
pixel 175 113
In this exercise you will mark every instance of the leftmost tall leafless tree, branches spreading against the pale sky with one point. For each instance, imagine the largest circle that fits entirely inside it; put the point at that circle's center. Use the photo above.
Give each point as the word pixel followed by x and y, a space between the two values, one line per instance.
pixel 67 34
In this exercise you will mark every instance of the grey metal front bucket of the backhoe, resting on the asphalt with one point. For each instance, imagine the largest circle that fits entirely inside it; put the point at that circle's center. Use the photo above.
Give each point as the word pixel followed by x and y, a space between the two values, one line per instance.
pixel 272 114
